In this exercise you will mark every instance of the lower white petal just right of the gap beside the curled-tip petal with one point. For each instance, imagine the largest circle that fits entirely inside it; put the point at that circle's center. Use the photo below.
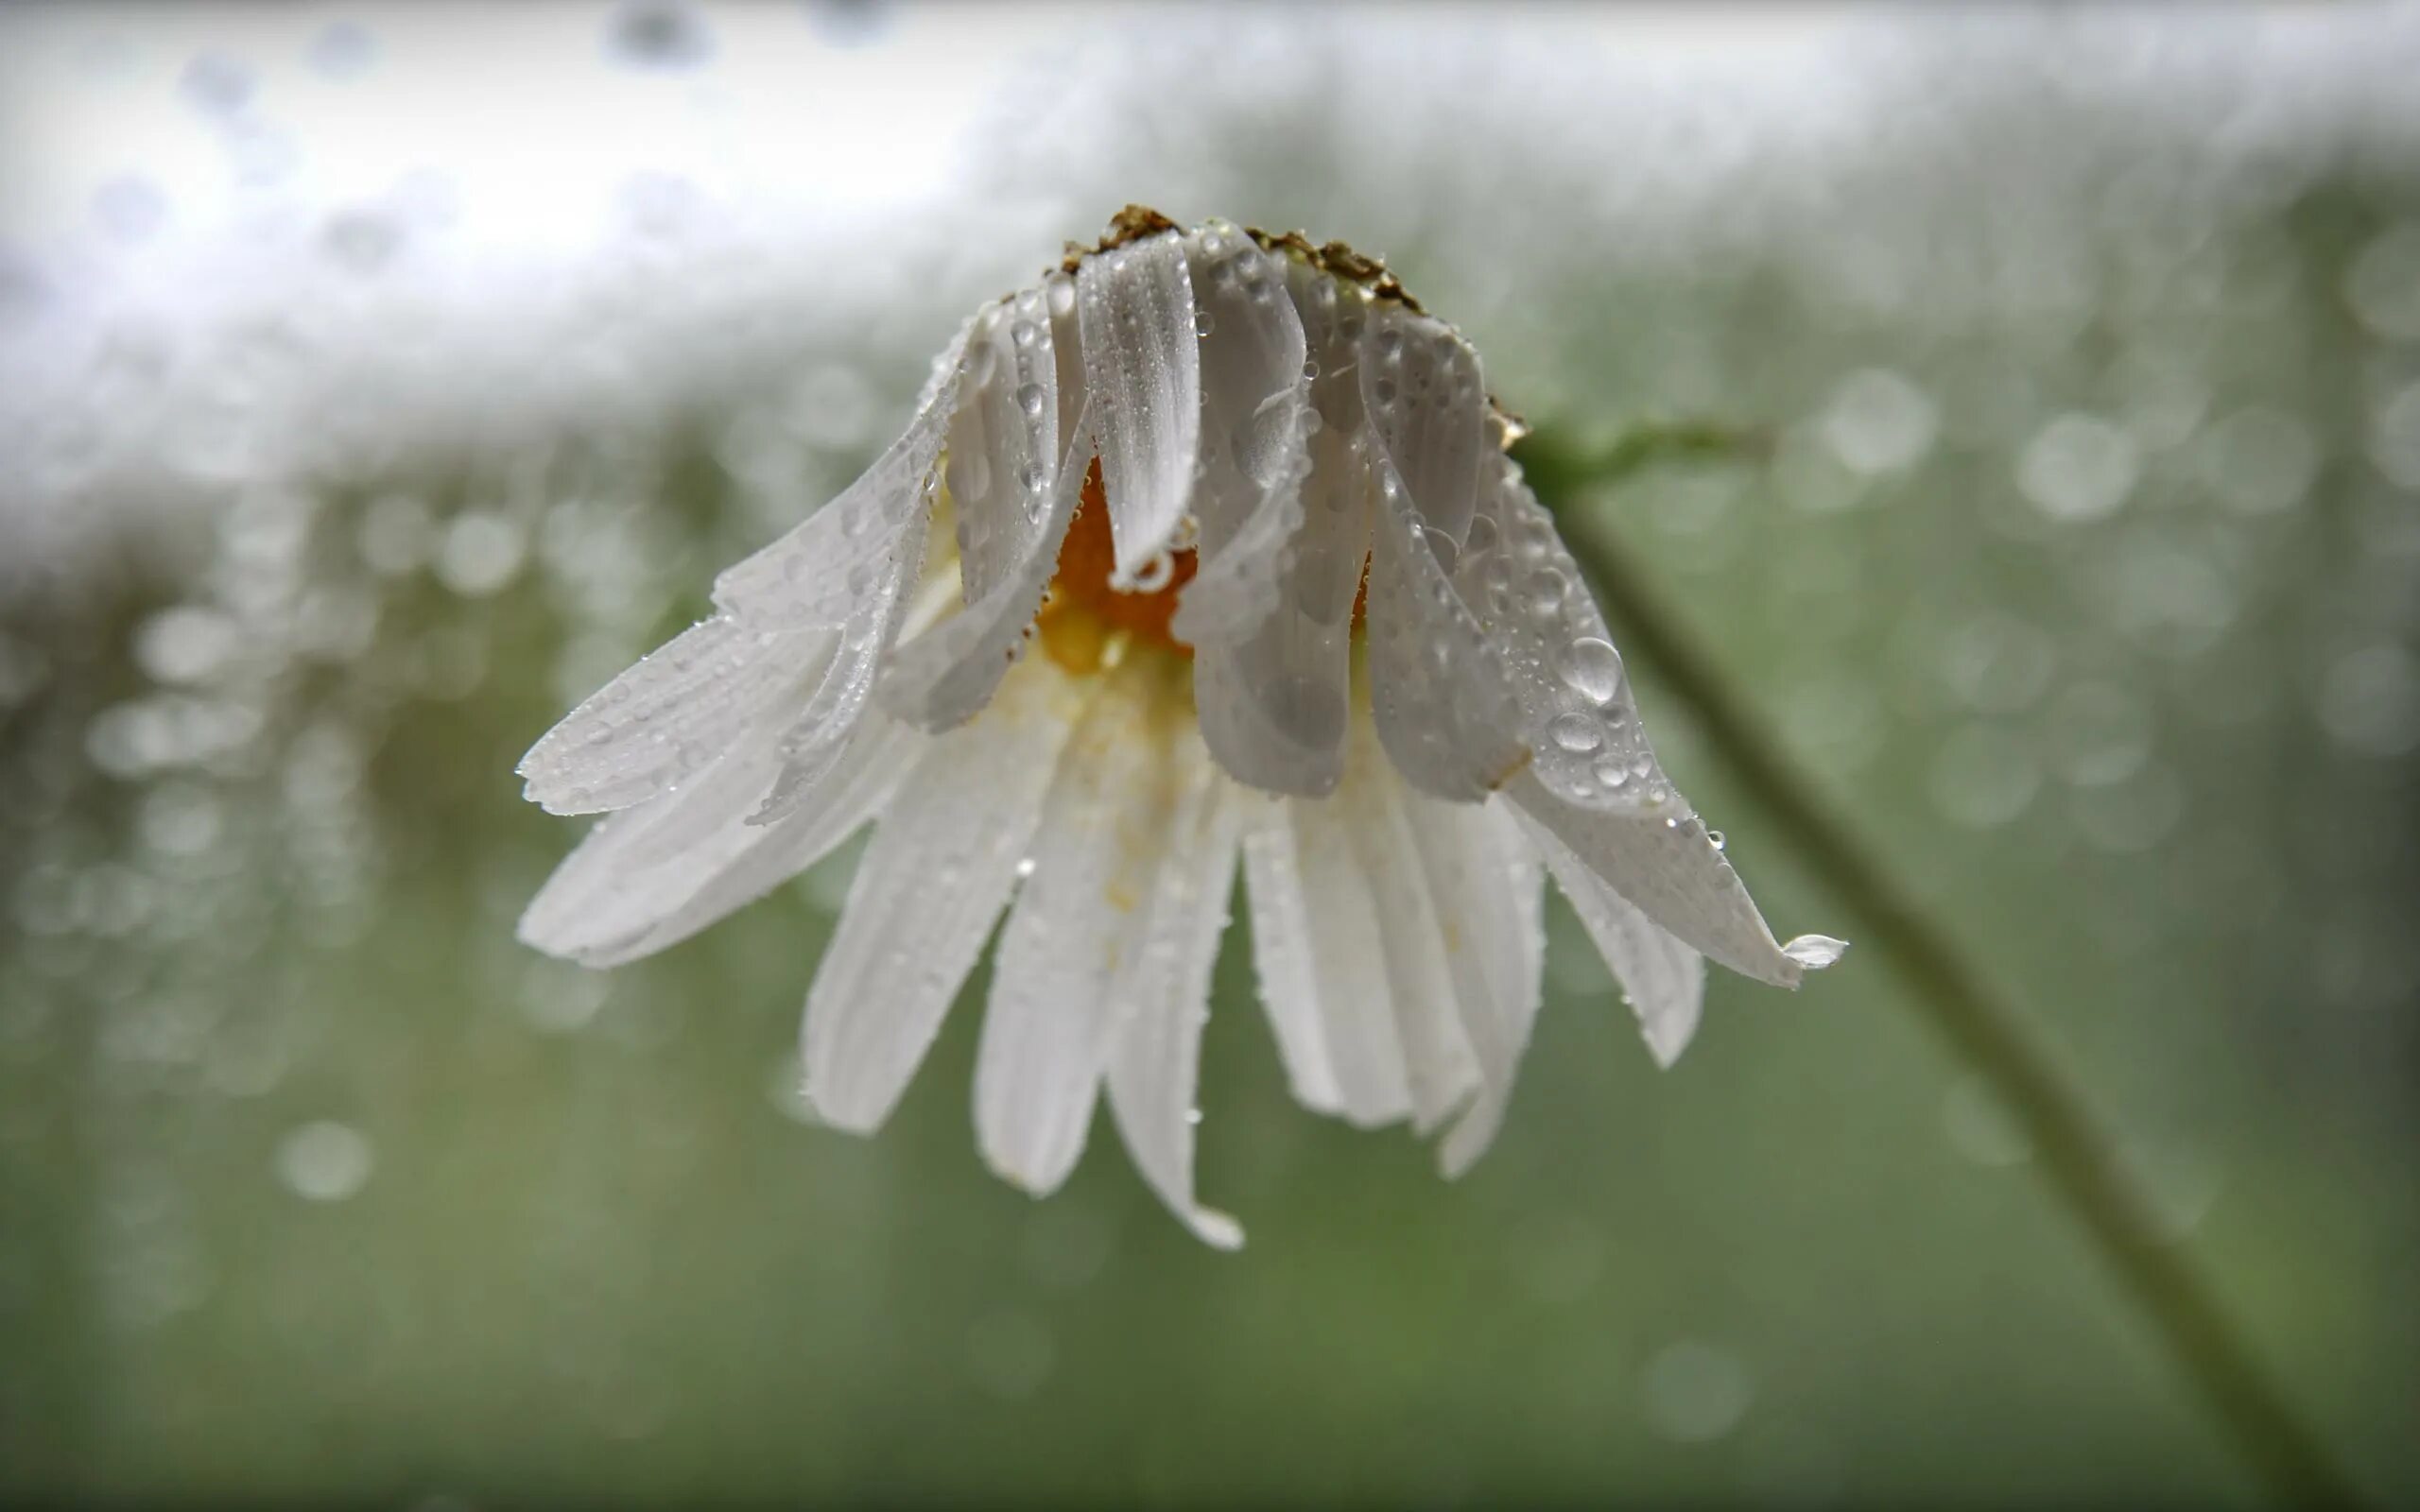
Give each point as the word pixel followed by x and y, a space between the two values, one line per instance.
pixel 1323 979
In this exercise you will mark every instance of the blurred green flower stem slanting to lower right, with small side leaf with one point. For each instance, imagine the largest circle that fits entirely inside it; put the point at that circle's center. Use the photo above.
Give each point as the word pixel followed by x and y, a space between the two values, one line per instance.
pixel 1981 1022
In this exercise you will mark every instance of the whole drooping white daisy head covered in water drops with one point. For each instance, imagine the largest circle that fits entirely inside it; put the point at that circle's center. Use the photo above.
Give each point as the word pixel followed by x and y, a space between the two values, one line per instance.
pixel 1233 567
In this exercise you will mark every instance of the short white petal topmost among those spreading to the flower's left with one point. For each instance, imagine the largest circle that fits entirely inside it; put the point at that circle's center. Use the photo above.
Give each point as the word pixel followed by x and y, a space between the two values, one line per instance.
pixel 826 567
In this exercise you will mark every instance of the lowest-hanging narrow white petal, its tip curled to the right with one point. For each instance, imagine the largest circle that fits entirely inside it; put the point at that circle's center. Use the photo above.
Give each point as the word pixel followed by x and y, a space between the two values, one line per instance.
pixel 1165 993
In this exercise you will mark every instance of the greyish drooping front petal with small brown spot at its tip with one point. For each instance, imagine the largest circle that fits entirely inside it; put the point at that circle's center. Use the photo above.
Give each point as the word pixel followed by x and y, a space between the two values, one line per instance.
pixel 1436 681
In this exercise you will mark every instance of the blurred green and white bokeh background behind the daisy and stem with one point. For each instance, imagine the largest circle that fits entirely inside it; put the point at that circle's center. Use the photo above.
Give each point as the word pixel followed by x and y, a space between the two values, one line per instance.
pixel 2080 565
